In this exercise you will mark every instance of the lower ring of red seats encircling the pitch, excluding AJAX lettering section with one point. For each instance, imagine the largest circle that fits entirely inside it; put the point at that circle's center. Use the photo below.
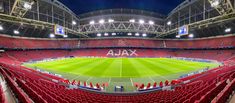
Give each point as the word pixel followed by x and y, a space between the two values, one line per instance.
pixel 212 86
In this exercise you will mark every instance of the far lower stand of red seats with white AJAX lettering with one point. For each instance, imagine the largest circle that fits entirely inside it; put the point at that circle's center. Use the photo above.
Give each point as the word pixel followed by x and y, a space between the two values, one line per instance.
pixel 23 56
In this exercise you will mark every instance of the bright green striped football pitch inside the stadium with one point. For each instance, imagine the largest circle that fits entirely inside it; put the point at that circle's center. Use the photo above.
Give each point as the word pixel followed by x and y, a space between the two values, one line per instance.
pixel 120 71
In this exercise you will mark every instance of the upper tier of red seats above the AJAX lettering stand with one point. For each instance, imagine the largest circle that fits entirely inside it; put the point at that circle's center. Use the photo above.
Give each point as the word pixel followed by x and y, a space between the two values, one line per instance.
pixel 30 43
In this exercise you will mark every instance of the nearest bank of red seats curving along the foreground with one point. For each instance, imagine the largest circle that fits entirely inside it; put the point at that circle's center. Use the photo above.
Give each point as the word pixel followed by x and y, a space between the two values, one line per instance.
pixel 42 90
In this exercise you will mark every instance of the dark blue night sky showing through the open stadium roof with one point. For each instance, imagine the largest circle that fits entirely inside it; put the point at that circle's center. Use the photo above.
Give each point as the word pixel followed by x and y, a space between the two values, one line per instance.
pixel 84 6
